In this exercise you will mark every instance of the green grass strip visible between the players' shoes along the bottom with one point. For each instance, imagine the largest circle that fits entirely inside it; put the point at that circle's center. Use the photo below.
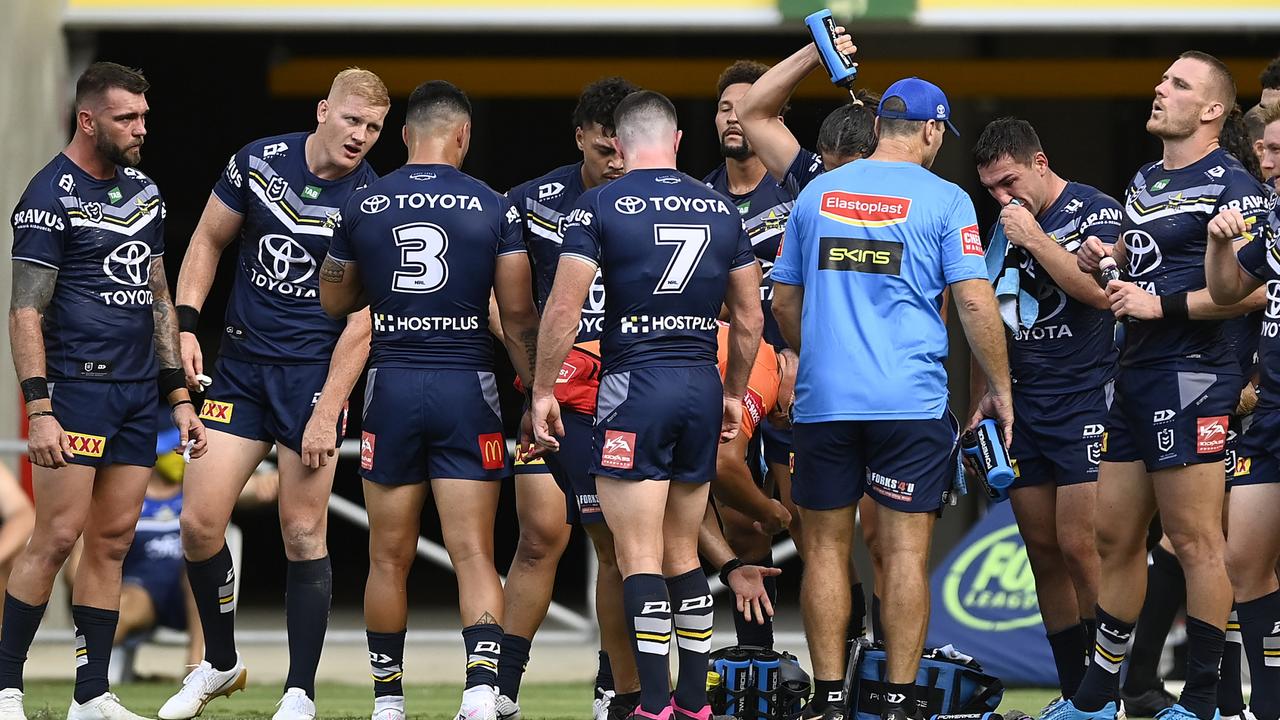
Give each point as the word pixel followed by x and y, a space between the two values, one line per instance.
pixel 49 701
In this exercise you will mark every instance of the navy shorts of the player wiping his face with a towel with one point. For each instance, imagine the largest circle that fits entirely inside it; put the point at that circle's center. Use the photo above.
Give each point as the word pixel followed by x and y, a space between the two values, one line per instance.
pixel 1058 439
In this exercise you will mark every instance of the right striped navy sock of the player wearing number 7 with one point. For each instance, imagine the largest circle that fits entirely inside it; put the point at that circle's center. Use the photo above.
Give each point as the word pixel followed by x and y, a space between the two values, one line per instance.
pixel 693 619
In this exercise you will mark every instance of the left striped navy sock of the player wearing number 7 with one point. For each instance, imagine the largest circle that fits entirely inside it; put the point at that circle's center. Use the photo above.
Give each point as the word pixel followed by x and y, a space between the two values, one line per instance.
pixel 648 608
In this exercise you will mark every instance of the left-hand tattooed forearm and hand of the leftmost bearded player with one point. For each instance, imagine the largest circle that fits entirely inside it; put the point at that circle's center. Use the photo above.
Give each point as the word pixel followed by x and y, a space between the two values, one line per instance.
pixel 34 285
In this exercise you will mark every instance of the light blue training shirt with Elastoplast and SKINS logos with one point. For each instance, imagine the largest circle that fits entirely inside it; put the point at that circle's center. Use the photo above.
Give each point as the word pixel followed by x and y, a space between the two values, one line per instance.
pixel 875 244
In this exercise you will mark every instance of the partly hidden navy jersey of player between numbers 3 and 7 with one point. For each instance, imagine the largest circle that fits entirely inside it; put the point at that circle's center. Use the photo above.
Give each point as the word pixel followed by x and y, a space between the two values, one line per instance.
pixel 545 204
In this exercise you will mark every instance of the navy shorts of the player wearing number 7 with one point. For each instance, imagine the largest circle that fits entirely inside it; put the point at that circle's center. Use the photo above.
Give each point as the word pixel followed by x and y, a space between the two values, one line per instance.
pixel 659 425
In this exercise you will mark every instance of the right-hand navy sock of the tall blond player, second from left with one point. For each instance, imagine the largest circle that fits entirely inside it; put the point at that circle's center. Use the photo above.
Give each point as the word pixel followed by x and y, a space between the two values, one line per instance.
pixel 308 591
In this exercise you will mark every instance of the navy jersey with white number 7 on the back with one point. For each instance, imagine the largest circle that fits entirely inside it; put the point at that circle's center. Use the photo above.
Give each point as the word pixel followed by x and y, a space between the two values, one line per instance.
pixel 662 298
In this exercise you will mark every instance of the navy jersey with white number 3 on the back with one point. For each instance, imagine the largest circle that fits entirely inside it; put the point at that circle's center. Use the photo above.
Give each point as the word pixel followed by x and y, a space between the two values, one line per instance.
pixel 427 240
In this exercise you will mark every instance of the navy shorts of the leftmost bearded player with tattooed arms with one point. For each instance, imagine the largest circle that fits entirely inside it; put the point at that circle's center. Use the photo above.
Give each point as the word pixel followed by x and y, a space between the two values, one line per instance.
pixel 108 423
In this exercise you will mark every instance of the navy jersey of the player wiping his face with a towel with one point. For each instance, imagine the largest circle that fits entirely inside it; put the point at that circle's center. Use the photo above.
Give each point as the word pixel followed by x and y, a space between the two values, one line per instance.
pixel 1072 347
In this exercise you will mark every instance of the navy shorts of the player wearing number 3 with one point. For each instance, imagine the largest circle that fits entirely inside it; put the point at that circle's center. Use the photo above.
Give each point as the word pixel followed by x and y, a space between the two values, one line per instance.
pixel 426 425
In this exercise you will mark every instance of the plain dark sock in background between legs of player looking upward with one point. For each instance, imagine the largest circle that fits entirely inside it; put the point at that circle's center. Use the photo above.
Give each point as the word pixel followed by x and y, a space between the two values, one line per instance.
pixel 1167 590
